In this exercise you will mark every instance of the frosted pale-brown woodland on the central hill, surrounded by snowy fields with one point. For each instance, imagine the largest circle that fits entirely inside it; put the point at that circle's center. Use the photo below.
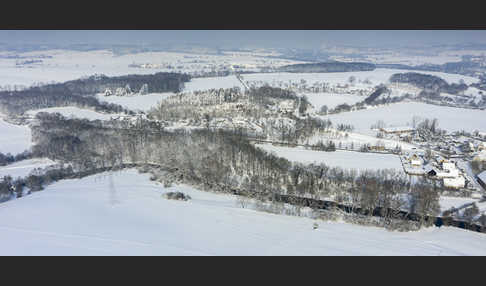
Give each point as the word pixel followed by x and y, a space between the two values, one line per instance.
pixel 263 112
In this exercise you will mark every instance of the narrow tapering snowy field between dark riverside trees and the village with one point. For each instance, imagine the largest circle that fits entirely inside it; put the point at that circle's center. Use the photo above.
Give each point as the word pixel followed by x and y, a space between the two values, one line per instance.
pixel 343 159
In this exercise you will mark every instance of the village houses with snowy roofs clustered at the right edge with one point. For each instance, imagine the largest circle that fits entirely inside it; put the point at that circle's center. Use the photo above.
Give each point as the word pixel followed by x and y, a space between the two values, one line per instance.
pixel 447 157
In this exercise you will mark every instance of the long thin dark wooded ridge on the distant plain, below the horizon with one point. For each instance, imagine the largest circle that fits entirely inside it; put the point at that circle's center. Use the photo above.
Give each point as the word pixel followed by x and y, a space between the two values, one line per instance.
pixel 328 67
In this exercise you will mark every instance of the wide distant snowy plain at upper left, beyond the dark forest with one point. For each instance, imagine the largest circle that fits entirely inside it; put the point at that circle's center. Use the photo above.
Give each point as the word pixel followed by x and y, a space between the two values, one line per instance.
pixel 64 65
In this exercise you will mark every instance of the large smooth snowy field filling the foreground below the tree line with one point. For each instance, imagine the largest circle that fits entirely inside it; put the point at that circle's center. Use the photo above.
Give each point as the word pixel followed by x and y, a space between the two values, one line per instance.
pixel 82 217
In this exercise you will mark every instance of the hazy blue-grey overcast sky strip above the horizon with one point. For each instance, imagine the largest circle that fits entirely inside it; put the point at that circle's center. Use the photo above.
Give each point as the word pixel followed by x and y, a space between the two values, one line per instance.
pixel 237 38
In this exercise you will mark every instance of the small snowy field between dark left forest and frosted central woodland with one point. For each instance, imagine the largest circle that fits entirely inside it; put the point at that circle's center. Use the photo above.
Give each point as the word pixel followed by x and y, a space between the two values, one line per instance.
pixel 136 102
